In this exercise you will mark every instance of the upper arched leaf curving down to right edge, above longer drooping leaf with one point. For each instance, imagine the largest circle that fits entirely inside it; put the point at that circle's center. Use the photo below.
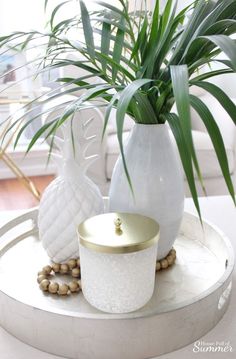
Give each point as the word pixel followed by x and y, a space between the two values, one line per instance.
pixel 220 95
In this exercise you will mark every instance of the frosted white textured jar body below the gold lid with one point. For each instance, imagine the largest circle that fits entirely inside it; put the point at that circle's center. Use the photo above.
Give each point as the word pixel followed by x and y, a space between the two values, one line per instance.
pixel 118 283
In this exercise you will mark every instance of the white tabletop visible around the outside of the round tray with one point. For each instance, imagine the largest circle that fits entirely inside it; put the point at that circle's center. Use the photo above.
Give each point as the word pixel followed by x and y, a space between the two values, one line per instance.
pixel 218 210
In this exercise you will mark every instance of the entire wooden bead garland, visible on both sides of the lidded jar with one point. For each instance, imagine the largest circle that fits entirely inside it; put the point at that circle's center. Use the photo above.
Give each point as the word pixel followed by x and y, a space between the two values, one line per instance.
pixel 73 267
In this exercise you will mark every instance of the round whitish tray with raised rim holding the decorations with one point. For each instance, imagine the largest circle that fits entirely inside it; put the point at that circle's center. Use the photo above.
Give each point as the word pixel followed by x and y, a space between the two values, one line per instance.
pixel 189 299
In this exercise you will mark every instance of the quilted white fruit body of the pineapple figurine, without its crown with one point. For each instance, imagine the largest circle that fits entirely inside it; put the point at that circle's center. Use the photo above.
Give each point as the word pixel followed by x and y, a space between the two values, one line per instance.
pixel 65 203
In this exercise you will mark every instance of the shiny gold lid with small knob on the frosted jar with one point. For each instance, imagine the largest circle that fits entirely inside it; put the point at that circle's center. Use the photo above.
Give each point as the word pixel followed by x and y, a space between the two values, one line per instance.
pixel 118 233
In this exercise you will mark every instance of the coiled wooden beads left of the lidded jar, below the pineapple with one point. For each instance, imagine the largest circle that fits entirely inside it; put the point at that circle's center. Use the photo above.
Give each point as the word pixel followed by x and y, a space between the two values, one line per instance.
pixel 72 267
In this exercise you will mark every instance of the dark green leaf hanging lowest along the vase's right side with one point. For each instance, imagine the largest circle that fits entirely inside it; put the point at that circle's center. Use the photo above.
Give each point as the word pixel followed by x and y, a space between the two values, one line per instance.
pixel 185 155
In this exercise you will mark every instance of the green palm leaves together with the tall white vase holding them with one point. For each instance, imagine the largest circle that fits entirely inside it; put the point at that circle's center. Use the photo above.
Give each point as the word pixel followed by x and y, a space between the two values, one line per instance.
pixel 147 61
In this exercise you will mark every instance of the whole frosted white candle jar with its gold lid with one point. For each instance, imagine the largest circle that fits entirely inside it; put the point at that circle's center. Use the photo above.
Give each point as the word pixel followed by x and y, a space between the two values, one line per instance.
pixel 118 259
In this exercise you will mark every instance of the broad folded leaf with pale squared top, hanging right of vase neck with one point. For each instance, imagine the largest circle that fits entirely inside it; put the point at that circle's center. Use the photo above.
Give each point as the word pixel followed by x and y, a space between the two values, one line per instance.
pixel 179 75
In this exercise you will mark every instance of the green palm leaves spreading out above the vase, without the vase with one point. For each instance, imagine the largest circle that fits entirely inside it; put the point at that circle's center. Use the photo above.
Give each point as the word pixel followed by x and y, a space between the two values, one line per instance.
pixel 147 61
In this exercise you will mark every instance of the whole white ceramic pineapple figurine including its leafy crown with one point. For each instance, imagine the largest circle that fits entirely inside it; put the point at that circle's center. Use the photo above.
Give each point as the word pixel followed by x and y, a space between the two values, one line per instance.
pixel 72 197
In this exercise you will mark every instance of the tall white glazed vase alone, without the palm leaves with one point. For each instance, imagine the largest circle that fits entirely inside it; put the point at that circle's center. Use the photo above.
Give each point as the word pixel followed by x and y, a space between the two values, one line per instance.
pixel 157 181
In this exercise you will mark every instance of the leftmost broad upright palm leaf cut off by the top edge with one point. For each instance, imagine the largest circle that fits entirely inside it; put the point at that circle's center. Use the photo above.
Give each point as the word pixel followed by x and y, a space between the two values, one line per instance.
pixel 87 28
